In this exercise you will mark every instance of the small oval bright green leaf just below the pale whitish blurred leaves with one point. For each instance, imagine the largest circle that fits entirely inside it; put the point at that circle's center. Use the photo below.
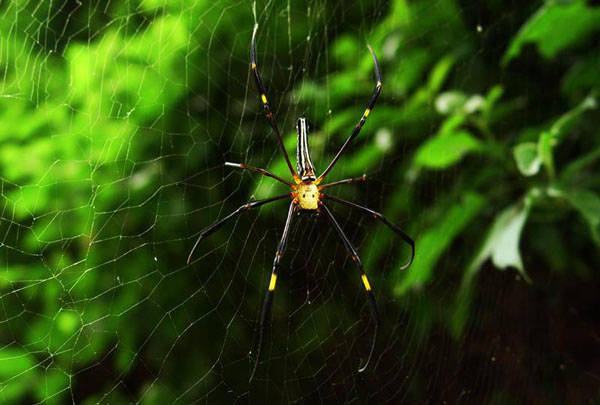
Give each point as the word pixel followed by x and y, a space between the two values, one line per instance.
pixel 444 150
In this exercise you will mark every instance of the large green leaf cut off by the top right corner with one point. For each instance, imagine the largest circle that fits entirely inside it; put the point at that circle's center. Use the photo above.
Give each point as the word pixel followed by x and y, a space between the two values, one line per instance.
pixel 555 26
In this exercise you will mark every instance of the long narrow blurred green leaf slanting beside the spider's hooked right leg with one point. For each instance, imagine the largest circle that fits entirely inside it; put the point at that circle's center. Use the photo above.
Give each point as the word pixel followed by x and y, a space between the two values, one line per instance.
pixel 437 239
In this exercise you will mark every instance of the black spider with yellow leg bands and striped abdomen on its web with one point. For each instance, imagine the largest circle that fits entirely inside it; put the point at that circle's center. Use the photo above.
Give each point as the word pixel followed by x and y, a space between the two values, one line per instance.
pixel 307 197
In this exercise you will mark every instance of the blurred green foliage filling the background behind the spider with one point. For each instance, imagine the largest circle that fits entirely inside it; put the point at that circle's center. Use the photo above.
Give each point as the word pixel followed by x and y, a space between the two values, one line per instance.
pixel 116 118
